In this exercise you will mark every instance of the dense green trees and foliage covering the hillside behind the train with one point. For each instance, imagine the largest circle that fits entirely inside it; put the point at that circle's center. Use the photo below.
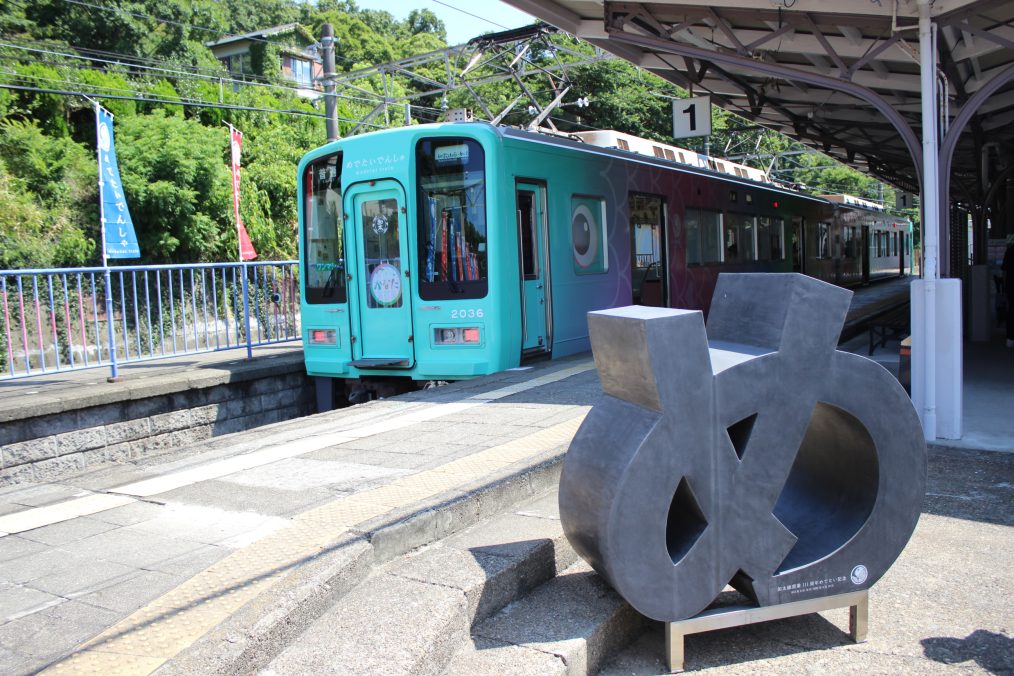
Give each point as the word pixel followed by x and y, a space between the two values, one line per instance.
pixel 175 159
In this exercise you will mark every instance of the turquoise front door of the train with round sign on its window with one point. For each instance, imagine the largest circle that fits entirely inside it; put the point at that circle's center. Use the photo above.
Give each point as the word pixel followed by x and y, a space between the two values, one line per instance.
pixel 380 275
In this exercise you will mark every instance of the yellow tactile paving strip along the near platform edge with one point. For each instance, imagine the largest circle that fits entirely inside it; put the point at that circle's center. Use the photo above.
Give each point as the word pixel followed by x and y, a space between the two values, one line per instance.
pixel 152 636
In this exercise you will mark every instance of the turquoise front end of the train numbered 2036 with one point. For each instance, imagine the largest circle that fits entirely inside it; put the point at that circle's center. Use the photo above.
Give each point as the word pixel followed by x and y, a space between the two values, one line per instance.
pixel 402 273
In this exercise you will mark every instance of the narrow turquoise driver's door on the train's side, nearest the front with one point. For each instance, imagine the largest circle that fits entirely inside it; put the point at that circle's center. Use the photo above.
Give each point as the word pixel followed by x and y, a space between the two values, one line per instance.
pixel 533 260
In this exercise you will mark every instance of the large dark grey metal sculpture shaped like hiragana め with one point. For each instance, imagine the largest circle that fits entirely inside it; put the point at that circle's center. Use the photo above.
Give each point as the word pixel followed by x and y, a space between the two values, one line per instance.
pixel 751 454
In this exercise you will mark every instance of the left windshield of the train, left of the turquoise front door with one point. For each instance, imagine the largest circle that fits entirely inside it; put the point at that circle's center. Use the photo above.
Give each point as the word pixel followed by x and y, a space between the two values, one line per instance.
pixel 323 245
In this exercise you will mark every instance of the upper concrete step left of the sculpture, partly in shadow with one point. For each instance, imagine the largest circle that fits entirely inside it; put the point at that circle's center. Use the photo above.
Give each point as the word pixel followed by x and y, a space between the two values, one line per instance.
pixel 416 613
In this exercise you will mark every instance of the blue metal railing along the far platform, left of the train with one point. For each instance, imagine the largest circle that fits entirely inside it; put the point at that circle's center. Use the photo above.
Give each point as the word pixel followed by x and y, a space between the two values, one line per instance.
pixel 73 319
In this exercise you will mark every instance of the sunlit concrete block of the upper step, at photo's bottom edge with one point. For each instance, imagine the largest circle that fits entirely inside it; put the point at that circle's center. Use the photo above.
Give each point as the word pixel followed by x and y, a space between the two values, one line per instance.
pixel 389 625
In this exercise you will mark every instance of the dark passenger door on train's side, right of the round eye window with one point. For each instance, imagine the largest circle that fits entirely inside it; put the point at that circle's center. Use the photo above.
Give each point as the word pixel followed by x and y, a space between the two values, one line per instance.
pixel 649 283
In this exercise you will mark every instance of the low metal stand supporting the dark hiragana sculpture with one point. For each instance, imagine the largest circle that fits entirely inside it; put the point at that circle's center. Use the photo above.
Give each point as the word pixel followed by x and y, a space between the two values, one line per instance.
pixel 723 619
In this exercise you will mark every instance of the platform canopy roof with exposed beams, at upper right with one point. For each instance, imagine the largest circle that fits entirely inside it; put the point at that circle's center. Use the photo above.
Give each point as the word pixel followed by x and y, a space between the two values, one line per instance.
pixel 842 77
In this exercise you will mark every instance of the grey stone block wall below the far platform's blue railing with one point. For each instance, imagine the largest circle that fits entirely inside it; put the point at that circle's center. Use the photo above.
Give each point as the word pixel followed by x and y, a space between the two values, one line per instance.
pixel 151 419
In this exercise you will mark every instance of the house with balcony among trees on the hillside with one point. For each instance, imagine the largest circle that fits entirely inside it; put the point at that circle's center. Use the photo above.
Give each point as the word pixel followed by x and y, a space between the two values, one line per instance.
pixel 287 51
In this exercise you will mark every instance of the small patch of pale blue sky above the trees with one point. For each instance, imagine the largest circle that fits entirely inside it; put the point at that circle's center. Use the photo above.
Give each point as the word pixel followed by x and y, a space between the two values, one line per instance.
pixel 465 19
